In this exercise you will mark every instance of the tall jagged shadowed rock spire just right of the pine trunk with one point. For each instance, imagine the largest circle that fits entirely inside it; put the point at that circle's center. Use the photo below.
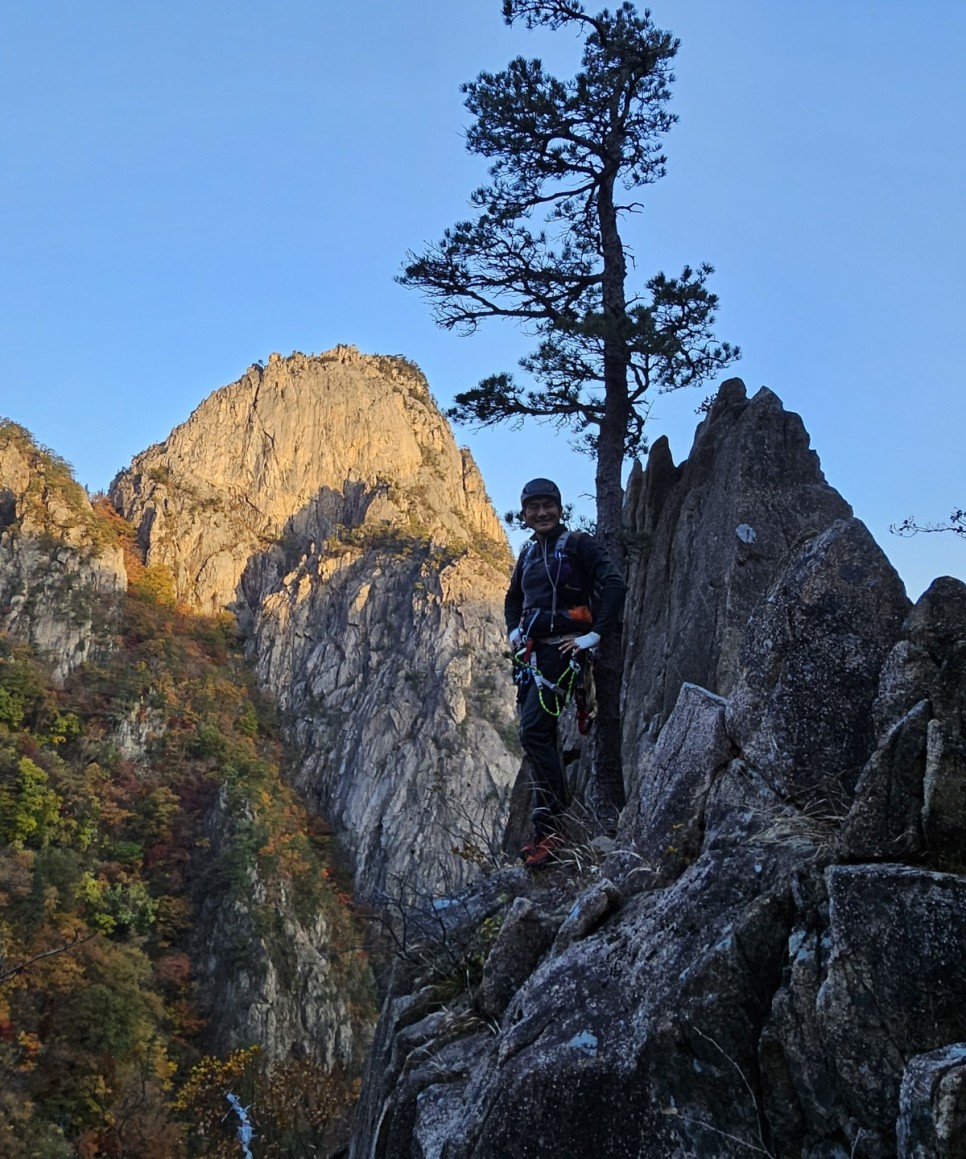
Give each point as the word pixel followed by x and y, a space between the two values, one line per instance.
pixel 708 538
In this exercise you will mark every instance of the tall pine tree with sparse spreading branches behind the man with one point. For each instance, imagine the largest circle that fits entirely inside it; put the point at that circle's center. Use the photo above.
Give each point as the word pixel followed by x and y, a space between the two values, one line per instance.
pixel 546 250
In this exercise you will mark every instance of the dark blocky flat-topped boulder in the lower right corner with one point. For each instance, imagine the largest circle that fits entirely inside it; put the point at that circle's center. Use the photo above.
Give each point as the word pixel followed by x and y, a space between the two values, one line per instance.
pixel 881 982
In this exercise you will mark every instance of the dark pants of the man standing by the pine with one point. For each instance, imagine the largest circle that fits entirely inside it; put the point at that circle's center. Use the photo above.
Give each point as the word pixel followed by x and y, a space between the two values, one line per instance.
pixel 539 738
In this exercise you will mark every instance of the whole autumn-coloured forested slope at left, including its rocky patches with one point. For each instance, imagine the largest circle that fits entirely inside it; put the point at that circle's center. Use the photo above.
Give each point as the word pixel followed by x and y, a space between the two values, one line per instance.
pixel 152 859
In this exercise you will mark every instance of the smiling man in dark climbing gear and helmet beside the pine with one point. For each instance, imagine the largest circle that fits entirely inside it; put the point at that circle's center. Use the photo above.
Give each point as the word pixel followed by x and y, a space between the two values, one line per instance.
pixel 565 595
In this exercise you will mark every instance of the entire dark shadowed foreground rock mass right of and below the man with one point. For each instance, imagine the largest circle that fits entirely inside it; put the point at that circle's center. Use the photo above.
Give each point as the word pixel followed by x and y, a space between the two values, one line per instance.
pixel 772 958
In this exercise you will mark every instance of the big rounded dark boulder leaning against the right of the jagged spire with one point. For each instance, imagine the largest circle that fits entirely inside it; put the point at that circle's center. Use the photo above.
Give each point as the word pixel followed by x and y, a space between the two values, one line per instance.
pixel 801 710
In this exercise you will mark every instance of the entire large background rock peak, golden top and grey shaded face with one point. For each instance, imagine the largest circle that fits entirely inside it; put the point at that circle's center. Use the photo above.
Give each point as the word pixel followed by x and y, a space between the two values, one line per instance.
pixel 324 501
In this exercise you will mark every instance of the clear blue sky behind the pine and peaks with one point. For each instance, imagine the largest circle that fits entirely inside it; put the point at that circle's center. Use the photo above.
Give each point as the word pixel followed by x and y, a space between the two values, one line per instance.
pixel 187 186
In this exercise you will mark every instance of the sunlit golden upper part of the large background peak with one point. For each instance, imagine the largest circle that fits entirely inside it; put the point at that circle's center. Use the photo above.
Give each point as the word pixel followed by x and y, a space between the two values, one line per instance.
pixel 303 447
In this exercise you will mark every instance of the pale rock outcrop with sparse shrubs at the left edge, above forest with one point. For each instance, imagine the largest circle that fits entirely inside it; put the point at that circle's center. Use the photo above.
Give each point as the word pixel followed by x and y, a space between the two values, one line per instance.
pixel 60 568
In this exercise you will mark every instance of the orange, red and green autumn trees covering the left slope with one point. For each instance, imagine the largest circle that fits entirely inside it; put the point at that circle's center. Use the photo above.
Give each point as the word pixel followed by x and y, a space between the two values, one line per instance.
pixel 104 870
